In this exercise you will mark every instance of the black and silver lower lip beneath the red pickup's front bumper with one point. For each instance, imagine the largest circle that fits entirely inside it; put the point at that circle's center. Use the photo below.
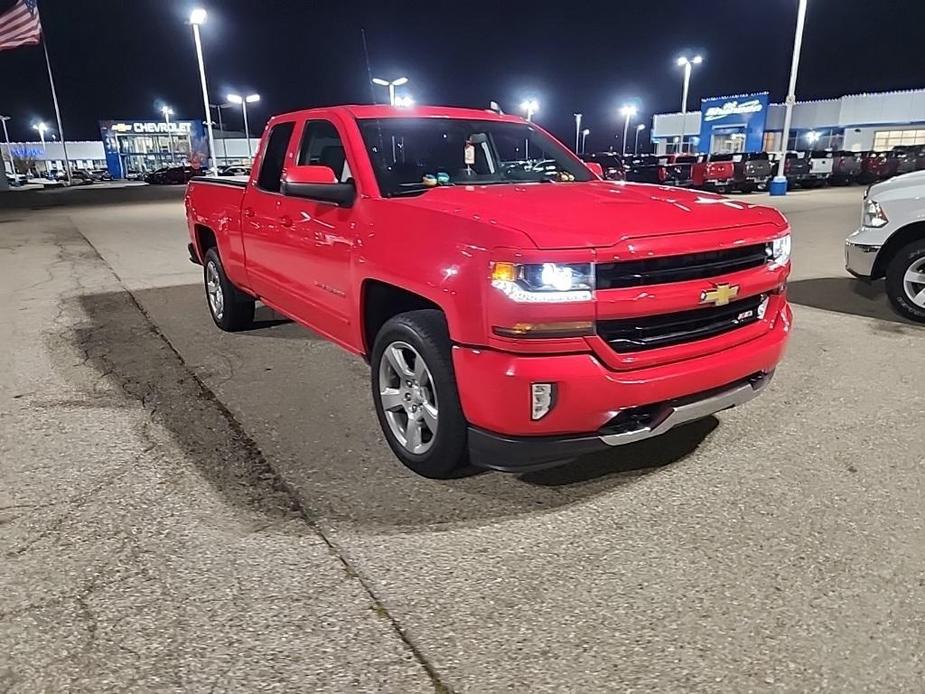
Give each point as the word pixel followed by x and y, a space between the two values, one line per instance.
pixel 524 453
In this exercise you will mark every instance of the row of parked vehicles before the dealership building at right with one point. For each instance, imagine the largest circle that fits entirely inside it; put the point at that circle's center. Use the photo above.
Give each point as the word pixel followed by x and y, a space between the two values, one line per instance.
pixel 750 171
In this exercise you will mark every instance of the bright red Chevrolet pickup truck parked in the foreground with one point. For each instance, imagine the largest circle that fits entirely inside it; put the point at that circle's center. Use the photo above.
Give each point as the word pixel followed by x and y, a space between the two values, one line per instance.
pixel 516 310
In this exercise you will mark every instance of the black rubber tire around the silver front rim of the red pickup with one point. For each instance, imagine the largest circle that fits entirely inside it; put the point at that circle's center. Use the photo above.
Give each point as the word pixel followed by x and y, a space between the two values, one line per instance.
pixel 426 332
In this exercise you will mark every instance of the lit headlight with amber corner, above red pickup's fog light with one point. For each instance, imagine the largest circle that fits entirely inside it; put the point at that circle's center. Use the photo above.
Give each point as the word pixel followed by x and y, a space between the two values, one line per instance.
pixel 544 282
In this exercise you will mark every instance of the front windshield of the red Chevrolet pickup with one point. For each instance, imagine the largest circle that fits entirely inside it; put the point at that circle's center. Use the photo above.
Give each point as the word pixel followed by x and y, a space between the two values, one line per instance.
pixel 413 155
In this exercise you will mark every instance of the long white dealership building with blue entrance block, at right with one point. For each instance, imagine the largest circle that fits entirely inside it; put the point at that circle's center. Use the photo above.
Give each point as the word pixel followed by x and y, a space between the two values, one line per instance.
pixel 749 123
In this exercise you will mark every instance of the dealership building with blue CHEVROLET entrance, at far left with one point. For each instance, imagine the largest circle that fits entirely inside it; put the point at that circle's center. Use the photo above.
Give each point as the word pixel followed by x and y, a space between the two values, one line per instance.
pixel 129 146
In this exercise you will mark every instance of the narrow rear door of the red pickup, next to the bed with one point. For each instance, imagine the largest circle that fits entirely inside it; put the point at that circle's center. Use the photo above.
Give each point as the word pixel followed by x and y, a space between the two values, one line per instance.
pixel 264 246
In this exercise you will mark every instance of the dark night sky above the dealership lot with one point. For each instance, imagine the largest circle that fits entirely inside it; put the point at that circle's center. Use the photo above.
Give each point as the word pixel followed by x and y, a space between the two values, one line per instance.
pixel 122 58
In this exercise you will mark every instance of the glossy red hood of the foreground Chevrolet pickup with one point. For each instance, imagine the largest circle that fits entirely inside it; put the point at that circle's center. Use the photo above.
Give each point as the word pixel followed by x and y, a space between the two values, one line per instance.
pixel 592 215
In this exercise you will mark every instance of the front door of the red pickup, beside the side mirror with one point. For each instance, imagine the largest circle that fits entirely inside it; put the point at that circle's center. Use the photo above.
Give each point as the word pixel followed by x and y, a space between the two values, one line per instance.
pixel 319 238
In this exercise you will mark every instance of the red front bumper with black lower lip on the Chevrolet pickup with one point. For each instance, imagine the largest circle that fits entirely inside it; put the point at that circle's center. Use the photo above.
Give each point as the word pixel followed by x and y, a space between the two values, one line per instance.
pixel 495 392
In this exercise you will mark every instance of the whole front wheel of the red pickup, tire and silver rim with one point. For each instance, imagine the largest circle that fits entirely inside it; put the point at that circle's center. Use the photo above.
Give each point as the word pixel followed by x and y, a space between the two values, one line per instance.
pixel 415 395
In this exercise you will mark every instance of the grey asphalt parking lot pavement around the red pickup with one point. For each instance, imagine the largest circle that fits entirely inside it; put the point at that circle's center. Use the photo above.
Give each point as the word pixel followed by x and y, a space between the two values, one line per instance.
pixel 189 508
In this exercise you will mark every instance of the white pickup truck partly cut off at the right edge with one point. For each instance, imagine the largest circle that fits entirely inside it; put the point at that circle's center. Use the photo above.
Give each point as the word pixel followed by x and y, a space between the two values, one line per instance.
pixel 890 242
